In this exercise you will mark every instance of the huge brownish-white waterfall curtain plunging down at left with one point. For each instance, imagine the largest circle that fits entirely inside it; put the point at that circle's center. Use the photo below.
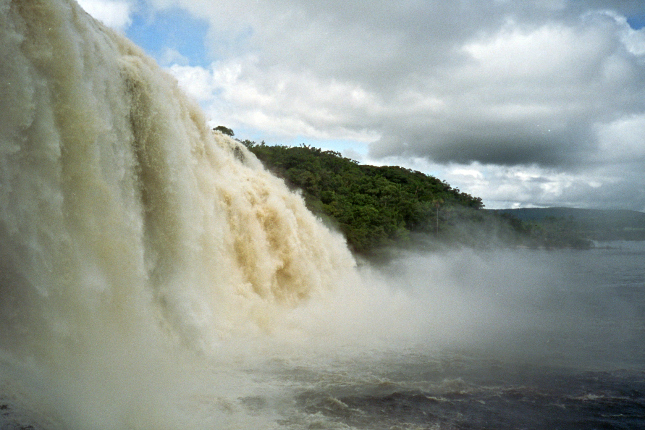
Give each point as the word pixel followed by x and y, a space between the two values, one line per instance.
pixel 124 220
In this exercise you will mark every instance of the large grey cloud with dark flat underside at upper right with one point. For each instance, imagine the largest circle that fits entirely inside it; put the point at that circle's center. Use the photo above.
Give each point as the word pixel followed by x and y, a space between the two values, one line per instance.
pixel 528 96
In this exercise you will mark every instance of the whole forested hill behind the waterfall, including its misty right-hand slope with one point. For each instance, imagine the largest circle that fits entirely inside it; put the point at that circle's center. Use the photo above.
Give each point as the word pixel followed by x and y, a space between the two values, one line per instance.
pixel 384 207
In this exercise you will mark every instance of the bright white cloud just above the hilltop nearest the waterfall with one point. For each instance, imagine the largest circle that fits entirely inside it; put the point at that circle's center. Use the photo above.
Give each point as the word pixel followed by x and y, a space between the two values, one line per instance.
pixel 279 102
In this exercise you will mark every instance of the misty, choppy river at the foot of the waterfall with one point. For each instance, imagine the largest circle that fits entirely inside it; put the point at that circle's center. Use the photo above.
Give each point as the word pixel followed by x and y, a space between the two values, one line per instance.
pixel 512 339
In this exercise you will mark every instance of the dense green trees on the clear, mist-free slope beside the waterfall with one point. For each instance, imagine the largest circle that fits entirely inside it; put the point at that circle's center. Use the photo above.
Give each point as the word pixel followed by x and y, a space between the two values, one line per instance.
pixel 373 206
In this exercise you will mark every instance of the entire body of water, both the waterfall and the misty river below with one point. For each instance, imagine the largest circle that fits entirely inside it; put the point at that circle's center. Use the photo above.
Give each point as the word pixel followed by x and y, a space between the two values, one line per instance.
pixel 154 276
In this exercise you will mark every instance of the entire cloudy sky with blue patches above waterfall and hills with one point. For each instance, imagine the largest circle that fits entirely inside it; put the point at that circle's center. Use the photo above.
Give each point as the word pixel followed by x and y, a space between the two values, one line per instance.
pixel 524 103
